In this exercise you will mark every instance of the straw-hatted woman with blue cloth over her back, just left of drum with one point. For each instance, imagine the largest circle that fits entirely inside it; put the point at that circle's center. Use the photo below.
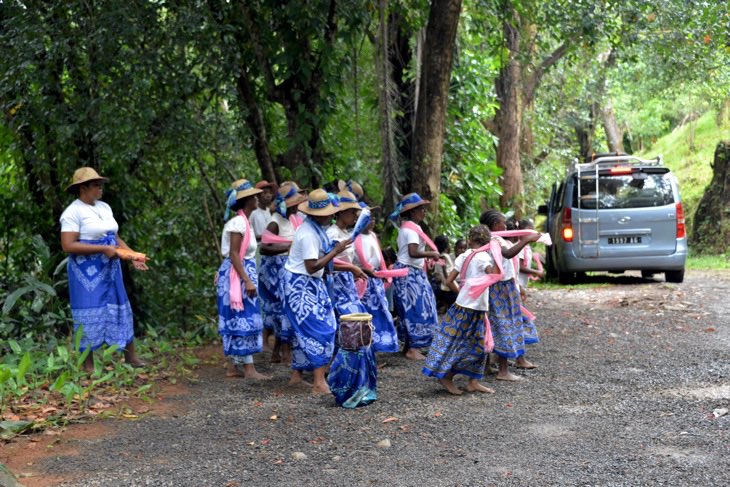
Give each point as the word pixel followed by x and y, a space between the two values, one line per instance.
pixel 307 303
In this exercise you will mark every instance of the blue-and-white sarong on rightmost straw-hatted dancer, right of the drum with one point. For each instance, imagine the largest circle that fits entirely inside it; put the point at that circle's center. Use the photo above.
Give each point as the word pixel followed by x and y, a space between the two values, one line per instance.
pixel 415 306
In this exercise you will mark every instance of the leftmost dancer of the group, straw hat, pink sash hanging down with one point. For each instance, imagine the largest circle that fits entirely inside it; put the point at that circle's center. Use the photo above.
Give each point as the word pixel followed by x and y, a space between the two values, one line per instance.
pixel 239 316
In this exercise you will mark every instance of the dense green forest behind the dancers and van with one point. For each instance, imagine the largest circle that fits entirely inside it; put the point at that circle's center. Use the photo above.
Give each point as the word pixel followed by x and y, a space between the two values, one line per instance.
pixel 472 103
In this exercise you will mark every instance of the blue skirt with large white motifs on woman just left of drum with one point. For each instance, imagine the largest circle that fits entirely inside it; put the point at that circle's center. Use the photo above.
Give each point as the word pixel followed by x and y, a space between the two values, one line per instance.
pixel 309 309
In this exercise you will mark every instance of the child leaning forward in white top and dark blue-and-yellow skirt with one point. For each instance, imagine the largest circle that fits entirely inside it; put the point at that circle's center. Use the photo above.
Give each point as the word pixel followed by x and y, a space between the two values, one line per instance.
pixel 458 345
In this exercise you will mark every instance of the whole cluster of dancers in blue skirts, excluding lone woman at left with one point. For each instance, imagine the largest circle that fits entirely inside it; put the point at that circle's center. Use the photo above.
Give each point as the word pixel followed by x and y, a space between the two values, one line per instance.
pixel 312 272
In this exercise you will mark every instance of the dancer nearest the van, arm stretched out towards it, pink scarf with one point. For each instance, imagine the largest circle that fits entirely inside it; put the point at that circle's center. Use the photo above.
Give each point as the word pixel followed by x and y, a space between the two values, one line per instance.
pixel 505 315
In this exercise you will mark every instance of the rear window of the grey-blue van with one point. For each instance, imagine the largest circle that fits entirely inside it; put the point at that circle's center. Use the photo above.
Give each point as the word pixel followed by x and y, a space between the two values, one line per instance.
pixel 635 190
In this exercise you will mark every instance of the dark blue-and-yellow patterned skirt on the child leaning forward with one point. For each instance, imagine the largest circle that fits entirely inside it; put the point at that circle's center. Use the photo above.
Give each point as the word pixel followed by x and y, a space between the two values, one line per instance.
pixel 458 345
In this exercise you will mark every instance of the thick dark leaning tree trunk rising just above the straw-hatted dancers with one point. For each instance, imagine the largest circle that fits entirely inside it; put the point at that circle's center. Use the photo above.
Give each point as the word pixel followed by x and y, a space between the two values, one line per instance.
pixel 428 135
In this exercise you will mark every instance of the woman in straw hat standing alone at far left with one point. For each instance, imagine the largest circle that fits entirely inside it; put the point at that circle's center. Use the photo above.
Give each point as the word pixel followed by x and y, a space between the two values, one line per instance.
pixel 99 303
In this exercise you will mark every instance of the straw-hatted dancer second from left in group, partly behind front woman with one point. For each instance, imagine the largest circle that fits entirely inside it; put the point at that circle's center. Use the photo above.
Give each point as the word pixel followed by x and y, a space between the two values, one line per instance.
pixel 276 242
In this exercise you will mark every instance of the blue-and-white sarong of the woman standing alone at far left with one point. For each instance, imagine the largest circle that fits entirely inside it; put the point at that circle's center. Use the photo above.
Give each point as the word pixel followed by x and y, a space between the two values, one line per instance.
pixel 99 301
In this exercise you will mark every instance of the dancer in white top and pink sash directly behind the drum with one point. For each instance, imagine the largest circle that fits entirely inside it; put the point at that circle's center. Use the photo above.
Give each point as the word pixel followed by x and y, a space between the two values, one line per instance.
pixel 370 258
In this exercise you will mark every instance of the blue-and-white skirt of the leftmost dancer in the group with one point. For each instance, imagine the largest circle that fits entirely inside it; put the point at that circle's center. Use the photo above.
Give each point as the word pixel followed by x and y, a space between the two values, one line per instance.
pixel 240 330
